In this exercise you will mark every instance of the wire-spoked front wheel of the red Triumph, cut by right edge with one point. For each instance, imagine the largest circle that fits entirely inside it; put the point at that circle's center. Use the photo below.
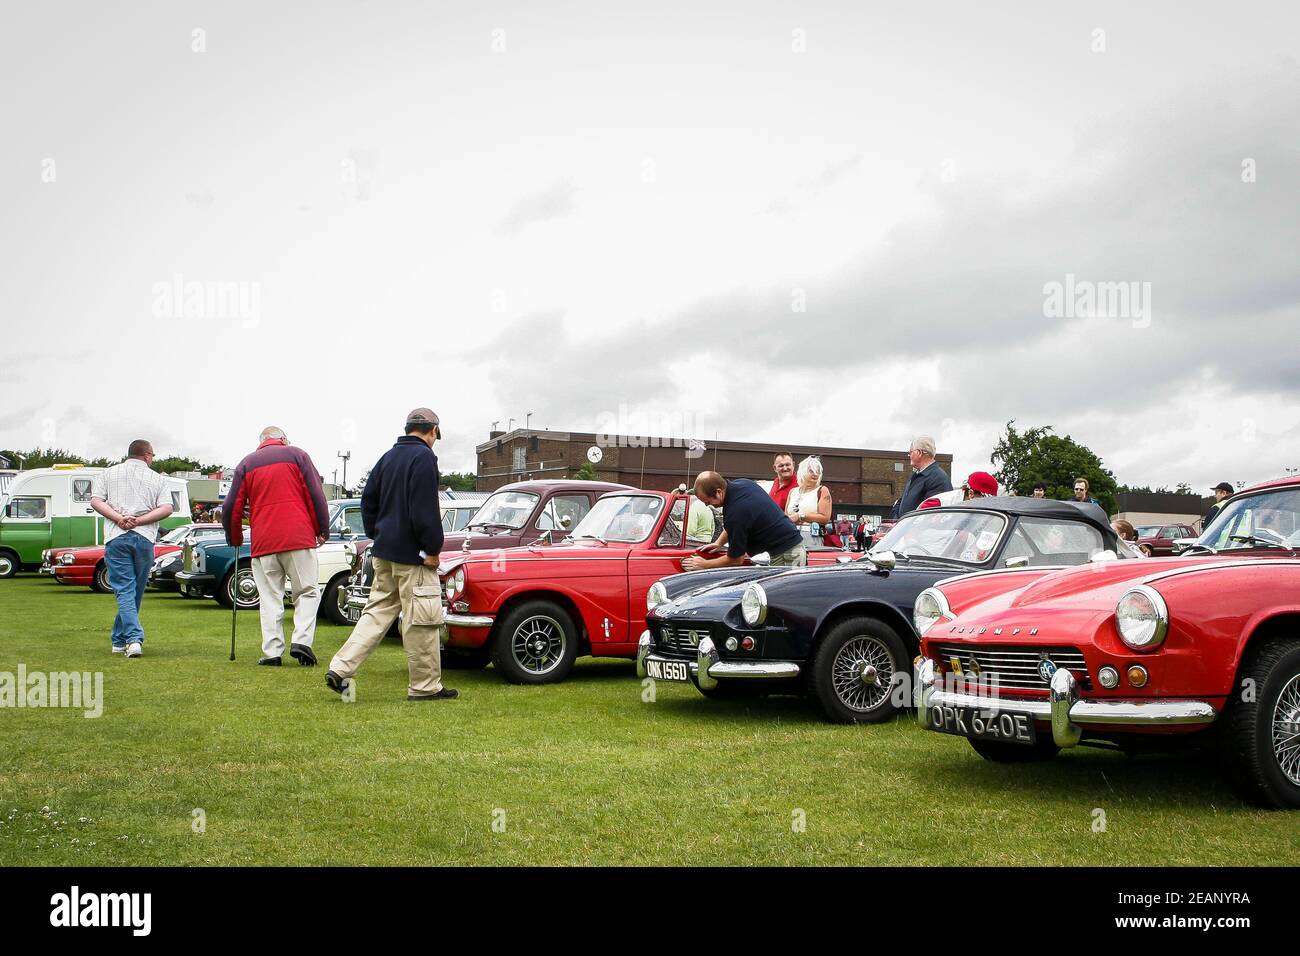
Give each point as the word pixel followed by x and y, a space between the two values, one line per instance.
pixel 1259 746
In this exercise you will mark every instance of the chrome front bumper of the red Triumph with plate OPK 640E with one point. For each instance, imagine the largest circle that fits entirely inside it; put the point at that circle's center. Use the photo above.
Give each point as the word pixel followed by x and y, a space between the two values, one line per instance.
pixel 1063 708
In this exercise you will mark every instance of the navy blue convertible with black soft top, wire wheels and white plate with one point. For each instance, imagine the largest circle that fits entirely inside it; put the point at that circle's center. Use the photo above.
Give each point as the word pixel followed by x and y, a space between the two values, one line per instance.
pixel 843 634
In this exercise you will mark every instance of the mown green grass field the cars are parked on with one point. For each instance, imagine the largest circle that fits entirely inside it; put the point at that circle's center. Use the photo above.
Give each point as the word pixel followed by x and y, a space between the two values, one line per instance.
pixel 579 773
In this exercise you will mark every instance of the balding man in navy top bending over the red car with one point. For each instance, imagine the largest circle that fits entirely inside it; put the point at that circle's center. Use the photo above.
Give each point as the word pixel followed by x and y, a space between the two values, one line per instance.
pixel 752 525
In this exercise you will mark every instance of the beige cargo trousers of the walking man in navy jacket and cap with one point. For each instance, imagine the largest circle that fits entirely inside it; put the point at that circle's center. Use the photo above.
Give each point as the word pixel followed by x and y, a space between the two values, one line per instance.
pixel 414 591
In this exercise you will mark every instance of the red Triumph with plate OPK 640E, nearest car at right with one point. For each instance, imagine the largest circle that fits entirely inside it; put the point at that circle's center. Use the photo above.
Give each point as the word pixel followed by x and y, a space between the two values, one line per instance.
pixel 1171 652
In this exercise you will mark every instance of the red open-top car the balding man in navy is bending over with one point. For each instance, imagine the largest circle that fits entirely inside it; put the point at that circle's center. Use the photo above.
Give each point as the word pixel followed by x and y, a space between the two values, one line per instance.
pixel 532 611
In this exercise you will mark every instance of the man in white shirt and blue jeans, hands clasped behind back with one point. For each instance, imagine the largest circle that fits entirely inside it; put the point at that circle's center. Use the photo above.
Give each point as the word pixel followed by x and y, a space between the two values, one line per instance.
pixel 133 500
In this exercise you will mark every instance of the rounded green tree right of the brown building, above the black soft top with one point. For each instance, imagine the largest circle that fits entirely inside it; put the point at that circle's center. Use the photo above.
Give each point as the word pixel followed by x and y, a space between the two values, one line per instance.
pixel 1058 461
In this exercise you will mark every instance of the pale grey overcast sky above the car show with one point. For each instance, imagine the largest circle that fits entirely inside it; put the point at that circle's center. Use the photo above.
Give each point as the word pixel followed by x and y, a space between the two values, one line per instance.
pixel 827 223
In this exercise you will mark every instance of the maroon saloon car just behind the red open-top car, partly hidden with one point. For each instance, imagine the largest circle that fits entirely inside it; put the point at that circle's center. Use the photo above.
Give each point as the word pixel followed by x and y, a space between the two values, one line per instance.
pixel 519 513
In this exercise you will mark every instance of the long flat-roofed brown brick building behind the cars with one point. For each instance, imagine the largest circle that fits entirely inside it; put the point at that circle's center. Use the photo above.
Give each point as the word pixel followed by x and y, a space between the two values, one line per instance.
pixel 863 482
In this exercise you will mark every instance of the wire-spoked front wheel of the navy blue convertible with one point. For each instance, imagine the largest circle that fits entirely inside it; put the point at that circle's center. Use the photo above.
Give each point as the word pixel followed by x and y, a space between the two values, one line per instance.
pixel 853 671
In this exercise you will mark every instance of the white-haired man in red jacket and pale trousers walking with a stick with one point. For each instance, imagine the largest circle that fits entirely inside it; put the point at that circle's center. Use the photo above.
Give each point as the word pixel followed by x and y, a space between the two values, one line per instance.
pixel 287 508
